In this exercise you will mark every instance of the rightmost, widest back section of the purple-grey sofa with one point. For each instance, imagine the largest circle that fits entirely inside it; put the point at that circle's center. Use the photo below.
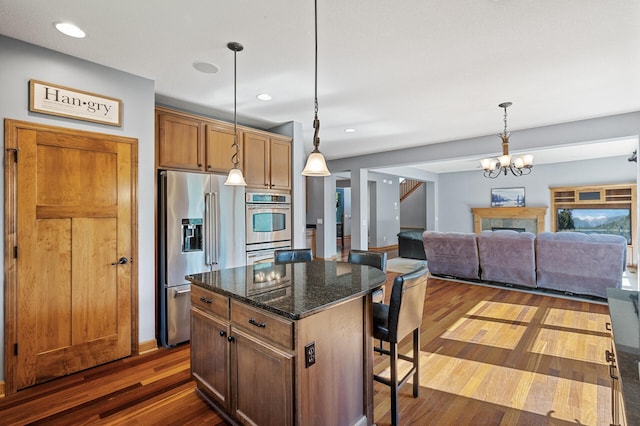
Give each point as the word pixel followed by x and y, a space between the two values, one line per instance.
pixel 580 263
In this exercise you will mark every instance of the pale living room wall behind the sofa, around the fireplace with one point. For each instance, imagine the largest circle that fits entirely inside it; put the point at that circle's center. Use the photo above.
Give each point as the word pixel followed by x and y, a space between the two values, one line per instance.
pixel 459 192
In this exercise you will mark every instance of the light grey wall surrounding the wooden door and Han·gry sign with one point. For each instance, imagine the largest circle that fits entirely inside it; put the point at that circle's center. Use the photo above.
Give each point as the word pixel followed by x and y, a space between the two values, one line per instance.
pixel 22 62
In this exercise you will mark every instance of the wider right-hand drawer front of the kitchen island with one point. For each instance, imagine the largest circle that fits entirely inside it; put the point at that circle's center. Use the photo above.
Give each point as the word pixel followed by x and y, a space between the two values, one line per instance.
pixel 264 325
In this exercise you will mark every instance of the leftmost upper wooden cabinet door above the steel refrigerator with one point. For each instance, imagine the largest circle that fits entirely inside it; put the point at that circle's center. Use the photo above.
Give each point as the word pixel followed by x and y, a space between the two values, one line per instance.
pixel 180 144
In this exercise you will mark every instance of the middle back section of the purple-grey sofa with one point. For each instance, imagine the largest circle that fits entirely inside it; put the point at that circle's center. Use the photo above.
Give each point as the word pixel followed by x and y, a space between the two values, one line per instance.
pixel 507 256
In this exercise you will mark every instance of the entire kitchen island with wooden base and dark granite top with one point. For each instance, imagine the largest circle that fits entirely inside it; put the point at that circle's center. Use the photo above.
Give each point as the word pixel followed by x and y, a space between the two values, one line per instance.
pixel 285 344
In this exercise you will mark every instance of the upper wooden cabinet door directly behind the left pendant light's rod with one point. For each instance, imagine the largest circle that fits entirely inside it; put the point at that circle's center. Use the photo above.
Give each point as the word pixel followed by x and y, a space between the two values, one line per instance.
pixel 219 148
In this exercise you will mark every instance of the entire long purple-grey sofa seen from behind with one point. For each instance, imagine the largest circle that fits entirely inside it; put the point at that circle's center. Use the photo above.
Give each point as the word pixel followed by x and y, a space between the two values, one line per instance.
pixel 568 262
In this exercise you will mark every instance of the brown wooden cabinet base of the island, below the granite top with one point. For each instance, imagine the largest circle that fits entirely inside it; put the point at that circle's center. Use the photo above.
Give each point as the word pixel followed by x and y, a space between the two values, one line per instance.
pixel 253 365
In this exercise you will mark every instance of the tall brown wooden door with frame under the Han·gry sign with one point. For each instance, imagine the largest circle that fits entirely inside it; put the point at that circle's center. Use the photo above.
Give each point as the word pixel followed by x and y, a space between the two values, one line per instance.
pixel 70 216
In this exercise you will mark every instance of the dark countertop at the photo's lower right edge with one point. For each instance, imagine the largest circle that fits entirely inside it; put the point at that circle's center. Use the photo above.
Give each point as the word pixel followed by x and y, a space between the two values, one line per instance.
pixel 623 309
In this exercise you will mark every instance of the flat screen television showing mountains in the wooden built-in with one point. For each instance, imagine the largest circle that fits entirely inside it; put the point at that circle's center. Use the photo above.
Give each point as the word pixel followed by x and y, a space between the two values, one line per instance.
pixel 595 221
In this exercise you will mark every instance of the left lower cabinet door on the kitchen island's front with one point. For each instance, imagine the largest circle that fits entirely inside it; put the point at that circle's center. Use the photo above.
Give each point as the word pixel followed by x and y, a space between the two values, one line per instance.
pixel 210 355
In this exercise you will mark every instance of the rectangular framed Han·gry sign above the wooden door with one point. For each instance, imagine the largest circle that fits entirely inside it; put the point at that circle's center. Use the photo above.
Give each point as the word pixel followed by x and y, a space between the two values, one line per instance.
pixel 47 98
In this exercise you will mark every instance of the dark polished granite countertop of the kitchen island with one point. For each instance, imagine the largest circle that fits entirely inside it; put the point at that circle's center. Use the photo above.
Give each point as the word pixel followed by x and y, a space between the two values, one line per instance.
pixel 293 290
